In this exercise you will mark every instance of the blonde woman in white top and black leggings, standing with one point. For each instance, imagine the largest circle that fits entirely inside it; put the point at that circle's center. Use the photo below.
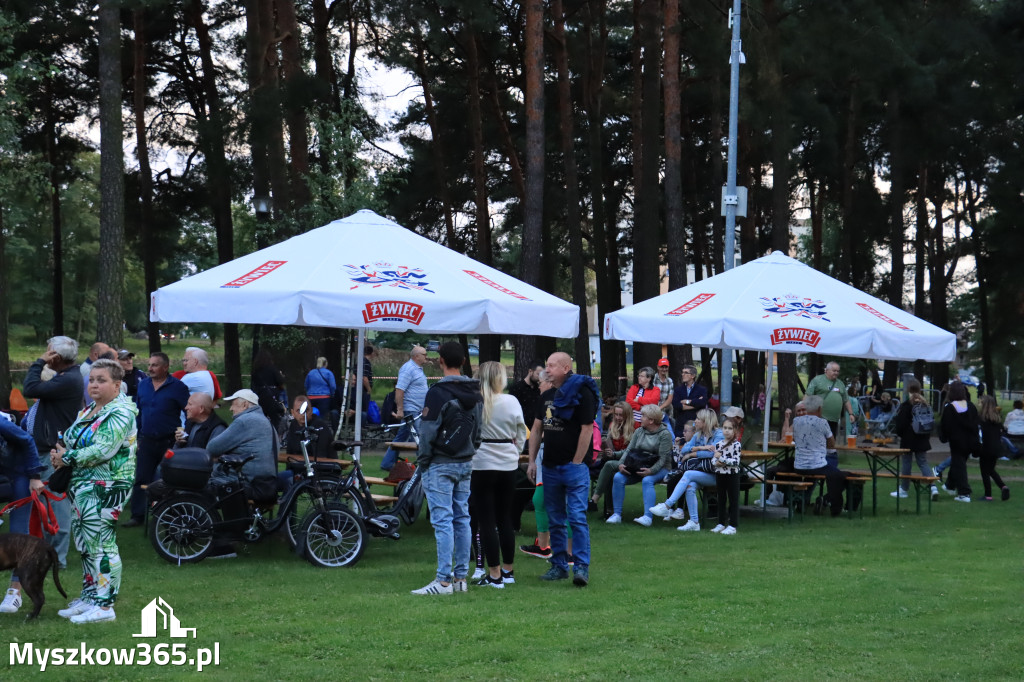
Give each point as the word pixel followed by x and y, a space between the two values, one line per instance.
pixel 495 467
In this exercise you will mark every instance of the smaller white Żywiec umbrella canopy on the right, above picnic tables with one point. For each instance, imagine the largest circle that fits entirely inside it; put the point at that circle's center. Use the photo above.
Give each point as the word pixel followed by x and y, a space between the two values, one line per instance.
pixel 777 304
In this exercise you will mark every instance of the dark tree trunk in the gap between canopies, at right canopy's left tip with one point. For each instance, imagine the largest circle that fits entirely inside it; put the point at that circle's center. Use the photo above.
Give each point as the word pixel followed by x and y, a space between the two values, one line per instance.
pixel 609 293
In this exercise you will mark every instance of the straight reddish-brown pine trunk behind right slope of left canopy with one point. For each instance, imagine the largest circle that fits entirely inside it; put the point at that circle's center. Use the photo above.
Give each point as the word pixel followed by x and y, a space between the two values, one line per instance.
pixel 533 229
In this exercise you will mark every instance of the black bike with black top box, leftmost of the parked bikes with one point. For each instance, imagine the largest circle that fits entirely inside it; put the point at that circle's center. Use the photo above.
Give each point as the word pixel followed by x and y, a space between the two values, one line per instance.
pixel 197 511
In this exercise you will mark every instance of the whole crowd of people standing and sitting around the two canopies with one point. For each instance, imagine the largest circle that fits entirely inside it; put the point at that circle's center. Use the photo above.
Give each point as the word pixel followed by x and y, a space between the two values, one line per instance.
pixel 111 424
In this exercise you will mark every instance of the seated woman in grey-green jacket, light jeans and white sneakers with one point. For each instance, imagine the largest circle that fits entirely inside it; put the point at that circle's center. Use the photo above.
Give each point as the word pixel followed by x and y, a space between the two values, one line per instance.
pixel 653 438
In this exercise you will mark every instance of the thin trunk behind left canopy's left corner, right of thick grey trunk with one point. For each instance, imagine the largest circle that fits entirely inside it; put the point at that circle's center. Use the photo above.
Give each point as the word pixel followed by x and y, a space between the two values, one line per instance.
pixel 145 174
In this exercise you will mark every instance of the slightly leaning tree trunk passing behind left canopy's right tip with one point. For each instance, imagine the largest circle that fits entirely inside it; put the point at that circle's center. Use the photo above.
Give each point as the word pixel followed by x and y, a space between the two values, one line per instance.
pixel 568 141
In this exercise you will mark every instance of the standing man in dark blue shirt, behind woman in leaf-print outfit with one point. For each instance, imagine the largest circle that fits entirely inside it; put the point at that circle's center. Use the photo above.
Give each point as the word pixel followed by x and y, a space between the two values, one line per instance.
pixel 161 400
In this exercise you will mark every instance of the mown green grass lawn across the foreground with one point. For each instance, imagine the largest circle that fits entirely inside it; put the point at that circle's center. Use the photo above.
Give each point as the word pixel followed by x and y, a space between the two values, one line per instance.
pixel 890 598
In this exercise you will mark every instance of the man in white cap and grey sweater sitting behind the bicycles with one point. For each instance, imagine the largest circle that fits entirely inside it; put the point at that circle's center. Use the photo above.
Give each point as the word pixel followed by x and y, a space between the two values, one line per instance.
pixel 249 434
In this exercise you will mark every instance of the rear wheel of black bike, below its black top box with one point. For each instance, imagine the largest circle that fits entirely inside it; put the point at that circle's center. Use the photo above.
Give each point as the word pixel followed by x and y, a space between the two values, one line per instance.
pixel 182 530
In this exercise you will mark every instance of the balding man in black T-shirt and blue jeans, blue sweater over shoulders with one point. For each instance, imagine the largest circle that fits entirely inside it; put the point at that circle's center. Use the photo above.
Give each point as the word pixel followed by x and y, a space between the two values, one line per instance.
pixel 566 421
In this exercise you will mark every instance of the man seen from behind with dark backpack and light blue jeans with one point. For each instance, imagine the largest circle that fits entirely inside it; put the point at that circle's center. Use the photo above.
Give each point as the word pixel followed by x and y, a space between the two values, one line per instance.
pixel 450 435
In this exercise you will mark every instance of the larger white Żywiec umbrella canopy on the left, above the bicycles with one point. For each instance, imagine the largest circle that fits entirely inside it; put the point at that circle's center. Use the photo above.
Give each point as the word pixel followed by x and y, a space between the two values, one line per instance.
pixel 366 272
